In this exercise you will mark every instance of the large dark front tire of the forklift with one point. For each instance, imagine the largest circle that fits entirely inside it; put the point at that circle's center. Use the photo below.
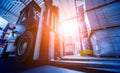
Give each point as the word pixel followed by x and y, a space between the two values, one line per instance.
pixel 24 48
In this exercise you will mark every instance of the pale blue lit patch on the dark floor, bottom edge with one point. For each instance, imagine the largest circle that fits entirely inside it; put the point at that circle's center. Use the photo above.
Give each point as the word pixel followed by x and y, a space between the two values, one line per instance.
pixel 51 69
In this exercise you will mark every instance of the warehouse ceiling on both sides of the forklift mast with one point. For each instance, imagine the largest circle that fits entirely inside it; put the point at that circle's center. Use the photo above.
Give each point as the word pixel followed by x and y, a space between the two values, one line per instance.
pixel 10 9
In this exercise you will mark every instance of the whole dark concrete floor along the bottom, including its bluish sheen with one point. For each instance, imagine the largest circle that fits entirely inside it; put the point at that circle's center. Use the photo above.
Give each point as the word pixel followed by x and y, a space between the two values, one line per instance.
pixel 8 65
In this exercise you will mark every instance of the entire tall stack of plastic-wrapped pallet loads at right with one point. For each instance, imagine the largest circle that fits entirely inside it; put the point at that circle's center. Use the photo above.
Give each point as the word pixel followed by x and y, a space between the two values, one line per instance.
pixel 103 26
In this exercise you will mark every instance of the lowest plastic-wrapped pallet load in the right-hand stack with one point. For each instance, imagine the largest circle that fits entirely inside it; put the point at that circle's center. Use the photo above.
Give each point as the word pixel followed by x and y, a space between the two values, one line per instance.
pixel 106 42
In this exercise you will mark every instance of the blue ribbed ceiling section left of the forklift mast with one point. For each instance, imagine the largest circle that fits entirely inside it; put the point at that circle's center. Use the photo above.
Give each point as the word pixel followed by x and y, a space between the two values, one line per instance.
pixel 10 9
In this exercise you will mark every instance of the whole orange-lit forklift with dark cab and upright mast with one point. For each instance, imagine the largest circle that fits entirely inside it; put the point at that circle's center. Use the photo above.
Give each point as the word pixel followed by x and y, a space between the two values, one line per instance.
pixel 37 36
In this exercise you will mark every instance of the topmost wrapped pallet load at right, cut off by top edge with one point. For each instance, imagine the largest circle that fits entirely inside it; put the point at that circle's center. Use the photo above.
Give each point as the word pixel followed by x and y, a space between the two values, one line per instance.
pixel 90 4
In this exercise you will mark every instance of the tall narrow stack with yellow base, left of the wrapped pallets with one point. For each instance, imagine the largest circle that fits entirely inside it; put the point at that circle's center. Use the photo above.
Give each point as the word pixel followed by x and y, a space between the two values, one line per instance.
pixel 85 41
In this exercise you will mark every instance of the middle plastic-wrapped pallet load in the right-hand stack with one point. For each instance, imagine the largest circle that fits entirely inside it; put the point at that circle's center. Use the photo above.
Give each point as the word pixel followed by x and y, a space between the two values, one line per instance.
pixel 104 17
